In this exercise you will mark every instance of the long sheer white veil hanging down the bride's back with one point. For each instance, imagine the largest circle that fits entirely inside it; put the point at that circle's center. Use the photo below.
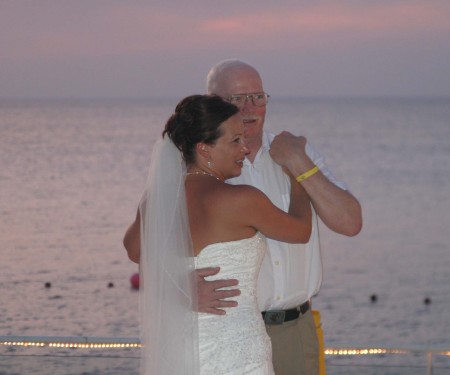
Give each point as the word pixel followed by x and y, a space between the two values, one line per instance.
pixel 169 331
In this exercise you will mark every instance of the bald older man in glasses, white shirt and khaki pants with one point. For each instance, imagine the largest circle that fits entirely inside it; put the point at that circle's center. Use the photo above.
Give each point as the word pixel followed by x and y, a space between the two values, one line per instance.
pixel 291 274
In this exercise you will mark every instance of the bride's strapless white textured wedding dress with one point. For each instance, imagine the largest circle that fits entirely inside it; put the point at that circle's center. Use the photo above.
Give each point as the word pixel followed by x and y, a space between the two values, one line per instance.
pixel 235 343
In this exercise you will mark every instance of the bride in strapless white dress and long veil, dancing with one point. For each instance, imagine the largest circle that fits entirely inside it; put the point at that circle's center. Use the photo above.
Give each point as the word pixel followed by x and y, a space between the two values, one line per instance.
pixel 189 218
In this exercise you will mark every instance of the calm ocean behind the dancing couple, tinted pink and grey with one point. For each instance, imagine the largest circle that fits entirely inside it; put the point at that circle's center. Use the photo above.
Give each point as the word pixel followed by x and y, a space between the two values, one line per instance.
pixel 72 172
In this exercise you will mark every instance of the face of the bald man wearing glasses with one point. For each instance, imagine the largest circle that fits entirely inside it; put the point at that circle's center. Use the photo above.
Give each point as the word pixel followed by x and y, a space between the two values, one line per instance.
pixel 244 80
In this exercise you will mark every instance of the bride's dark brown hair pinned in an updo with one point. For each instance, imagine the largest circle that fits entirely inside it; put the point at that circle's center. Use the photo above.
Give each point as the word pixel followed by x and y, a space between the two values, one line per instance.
pixel 197 118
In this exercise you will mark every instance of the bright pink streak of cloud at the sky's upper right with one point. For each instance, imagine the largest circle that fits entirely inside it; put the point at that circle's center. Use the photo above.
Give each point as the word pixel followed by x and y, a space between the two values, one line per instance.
pixel 369 21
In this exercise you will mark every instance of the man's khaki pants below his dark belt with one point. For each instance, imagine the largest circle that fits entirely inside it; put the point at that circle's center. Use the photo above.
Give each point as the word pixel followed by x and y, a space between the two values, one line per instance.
pixel 295 346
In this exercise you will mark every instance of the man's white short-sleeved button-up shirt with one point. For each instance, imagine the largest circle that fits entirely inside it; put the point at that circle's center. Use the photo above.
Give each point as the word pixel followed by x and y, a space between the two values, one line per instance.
pixel 291 273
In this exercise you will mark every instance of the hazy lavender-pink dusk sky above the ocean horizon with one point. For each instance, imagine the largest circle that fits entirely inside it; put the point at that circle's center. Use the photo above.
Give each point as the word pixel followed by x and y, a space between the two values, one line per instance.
pixel 164 48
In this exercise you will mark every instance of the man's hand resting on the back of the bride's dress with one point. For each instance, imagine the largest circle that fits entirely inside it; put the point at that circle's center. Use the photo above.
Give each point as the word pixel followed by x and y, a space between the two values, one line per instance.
pixel 211 296
